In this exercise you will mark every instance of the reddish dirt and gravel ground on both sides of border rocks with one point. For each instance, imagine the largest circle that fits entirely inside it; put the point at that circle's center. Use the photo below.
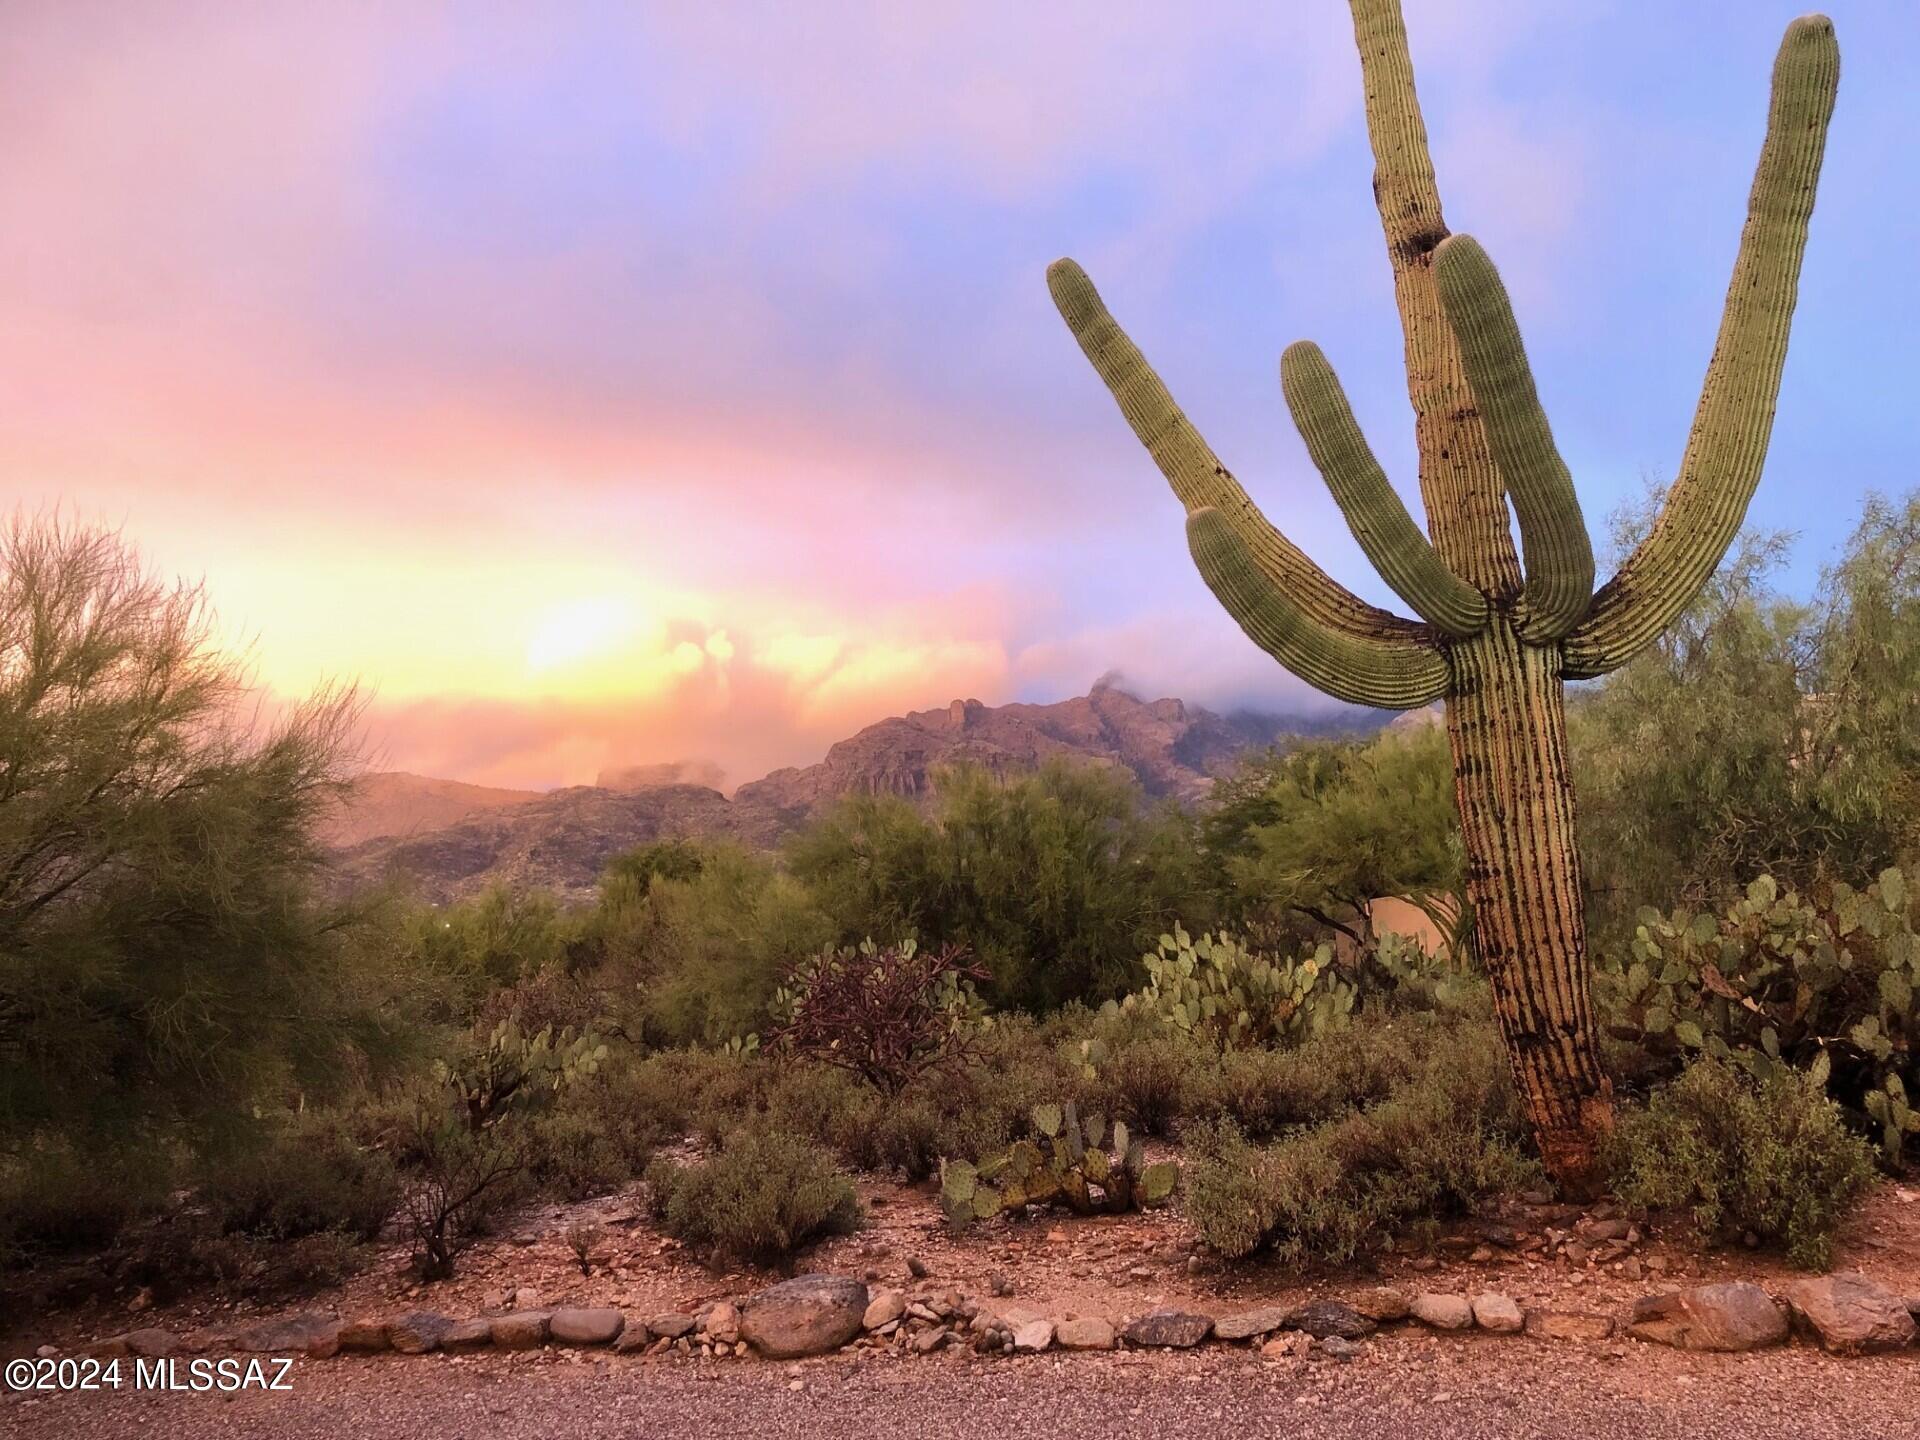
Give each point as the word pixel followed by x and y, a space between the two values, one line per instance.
pixel 1404 1381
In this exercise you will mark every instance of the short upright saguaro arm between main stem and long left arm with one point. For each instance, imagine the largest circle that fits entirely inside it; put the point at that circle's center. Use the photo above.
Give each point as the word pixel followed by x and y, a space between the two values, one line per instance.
pixel 1374 512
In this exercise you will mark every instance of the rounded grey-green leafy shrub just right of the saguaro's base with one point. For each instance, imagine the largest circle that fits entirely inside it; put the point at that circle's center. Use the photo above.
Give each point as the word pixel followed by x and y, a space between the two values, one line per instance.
pixel 1771 1157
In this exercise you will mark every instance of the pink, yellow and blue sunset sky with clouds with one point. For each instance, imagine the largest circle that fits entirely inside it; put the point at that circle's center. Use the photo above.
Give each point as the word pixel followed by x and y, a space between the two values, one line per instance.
pixel 633 383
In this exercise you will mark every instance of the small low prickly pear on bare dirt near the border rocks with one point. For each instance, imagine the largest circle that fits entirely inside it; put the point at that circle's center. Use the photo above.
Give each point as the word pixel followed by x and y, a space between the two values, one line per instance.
pixel 1076 1164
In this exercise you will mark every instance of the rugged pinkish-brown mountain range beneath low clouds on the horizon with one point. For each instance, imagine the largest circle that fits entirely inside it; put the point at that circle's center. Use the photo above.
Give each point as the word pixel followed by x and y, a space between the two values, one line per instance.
pixel 448 840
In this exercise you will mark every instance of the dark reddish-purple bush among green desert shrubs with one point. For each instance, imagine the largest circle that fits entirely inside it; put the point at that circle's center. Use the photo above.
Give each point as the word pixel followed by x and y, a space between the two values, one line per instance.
pixel 888 1015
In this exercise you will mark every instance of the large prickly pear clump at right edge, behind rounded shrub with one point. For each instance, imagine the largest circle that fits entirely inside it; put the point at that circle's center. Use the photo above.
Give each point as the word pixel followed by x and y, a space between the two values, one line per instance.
pixel 1785 982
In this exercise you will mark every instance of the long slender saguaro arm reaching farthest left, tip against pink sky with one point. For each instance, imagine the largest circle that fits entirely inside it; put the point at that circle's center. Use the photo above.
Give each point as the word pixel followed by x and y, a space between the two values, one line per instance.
pixel 1195 471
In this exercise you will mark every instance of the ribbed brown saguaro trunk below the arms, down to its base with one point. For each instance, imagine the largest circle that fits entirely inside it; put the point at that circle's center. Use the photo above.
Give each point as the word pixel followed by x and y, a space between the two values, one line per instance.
pixel 1508 729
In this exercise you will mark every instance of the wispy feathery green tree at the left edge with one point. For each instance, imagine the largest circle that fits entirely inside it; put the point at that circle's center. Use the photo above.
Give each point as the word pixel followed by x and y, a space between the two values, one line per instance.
pixel 166 953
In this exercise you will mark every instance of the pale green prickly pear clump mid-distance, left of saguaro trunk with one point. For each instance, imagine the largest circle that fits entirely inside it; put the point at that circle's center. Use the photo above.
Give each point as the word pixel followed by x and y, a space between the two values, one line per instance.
pixel 1230 997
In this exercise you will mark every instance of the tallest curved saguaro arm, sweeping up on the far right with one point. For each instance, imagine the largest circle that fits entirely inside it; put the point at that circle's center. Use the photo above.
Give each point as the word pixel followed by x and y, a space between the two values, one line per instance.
pixel 1737 406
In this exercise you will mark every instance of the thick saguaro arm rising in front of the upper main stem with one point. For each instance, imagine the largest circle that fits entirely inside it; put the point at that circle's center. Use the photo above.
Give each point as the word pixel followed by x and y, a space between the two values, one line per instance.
pixel 1560 558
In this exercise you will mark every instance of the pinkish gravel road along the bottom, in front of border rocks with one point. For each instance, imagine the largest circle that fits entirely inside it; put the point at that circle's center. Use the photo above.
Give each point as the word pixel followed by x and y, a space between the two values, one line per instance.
pixel 1397 1391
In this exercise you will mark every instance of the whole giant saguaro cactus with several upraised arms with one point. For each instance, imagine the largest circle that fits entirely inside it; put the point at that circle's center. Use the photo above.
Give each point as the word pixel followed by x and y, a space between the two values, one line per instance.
pixel 1493 642
